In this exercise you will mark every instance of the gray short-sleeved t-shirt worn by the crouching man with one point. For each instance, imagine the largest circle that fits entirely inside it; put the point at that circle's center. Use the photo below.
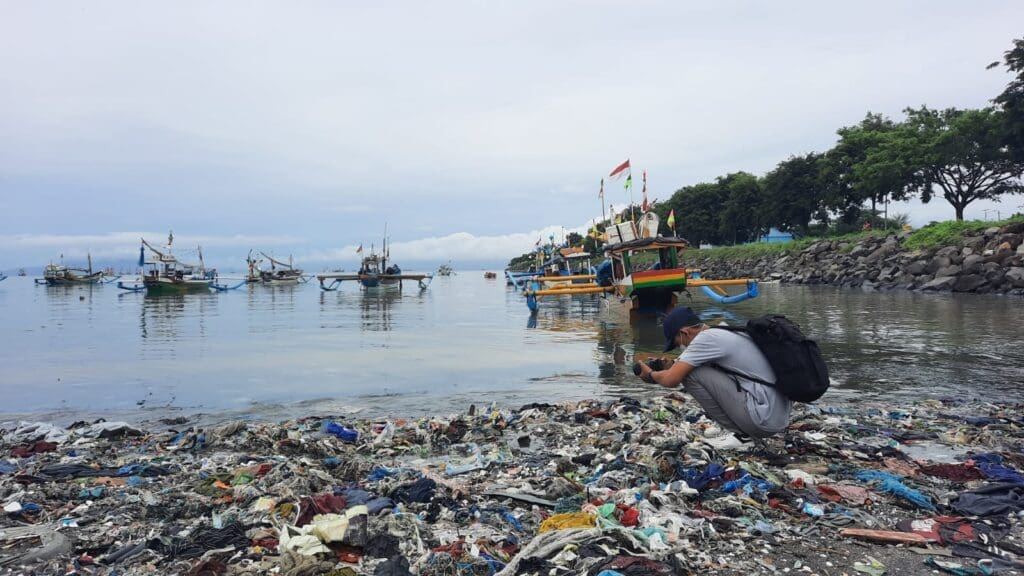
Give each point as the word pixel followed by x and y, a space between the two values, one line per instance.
pixel 738 352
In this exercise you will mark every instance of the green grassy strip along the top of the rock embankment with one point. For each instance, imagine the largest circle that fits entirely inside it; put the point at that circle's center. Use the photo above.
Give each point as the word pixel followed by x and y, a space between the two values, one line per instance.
pixel 940 234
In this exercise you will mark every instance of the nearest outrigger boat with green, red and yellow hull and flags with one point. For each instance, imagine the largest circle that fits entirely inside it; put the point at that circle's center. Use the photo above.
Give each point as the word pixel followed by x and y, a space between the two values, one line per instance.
pixel 644 272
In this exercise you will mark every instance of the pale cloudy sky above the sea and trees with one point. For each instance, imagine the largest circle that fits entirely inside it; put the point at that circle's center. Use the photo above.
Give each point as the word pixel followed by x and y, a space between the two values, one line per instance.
pixel 466 130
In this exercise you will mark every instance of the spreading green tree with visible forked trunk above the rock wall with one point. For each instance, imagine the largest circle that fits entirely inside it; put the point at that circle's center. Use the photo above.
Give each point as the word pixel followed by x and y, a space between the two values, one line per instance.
pixel 960 153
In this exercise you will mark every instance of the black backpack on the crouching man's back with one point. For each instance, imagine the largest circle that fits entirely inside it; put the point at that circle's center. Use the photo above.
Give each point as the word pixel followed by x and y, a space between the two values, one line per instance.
pixel 801 374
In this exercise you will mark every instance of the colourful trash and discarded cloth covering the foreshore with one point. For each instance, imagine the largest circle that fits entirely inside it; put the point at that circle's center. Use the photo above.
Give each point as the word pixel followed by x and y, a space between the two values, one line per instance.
pixel 624 487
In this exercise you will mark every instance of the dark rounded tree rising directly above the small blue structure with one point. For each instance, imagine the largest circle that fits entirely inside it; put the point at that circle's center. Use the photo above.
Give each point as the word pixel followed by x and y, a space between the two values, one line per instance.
pixel 794 193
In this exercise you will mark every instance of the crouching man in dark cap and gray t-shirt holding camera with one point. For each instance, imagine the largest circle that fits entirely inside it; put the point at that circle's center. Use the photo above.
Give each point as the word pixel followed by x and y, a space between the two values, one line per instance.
pixel 739 404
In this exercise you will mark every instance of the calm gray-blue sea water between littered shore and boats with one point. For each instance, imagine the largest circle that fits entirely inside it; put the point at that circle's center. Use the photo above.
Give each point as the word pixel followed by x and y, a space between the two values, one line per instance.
pixel 275 353
